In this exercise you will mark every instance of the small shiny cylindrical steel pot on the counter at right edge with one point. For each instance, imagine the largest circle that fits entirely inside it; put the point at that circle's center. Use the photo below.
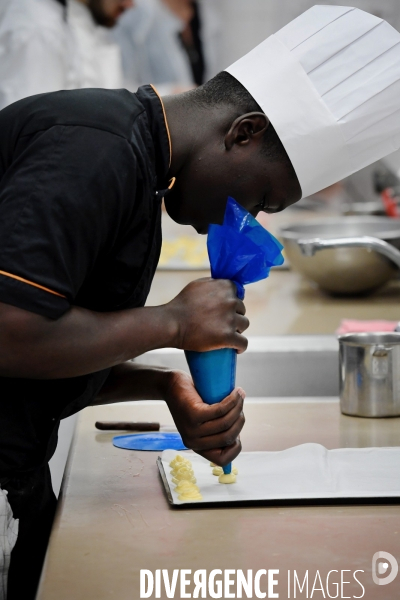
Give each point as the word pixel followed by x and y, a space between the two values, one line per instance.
pixel 369 374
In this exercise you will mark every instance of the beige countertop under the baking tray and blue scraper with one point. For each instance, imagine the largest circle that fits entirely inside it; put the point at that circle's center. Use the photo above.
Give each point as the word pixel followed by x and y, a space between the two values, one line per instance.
pixel 113 518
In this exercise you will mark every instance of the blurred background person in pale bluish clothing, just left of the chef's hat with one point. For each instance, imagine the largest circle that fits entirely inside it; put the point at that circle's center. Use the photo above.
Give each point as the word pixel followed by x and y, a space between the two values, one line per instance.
pixel 171 43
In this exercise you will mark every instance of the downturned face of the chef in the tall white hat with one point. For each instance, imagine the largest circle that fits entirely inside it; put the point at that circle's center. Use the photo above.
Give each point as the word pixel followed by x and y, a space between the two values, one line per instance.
pixel 202 187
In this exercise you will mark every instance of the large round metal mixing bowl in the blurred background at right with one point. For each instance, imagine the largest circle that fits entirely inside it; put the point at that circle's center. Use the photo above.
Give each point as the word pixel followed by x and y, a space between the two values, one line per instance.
pixel 344 270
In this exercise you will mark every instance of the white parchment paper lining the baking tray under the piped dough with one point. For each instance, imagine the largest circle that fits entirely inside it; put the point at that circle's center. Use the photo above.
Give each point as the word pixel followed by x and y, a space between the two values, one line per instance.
pixel 303 472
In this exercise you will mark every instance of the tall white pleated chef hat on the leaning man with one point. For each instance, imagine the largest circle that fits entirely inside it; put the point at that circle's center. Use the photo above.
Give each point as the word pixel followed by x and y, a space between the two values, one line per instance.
pixel 329 82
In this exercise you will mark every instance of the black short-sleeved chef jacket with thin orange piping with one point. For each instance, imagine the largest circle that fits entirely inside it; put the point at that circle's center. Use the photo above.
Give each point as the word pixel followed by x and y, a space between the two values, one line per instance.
pixel 81 180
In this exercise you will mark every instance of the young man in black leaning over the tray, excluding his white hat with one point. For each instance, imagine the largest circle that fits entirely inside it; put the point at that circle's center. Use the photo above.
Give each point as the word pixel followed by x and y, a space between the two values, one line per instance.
pixel 82 178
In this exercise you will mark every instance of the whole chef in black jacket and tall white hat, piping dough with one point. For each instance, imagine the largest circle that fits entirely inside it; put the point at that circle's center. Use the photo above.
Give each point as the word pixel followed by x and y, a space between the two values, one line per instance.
pixel 82 175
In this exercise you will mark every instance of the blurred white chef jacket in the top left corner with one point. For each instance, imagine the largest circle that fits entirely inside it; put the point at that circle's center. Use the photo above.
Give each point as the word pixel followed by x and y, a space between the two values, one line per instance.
pixel 36 50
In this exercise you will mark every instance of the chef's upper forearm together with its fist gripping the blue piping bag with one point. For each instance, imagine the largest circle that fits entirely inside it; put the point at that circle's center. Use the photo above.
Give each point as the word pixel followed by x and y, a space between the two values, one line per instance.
pixel 206 315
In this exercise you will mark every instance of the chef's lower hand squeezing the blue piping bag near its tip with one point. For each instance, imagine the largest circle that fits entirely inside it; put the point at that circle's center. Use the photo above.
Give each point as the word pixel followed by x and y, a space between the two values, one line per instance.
pixel 210 430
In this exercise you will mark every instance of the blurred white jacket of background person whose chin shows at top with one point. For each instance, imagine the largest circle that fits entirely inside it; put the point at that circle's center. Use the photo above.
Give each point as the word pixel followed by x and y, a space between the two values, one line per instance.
pixel 100 63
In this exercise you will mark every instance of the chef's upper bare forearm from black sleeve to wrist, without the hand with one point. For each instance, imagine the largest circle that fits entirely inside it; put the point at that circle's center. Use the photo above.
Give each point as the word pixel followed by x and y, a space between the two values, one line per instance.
pixel 79 342
